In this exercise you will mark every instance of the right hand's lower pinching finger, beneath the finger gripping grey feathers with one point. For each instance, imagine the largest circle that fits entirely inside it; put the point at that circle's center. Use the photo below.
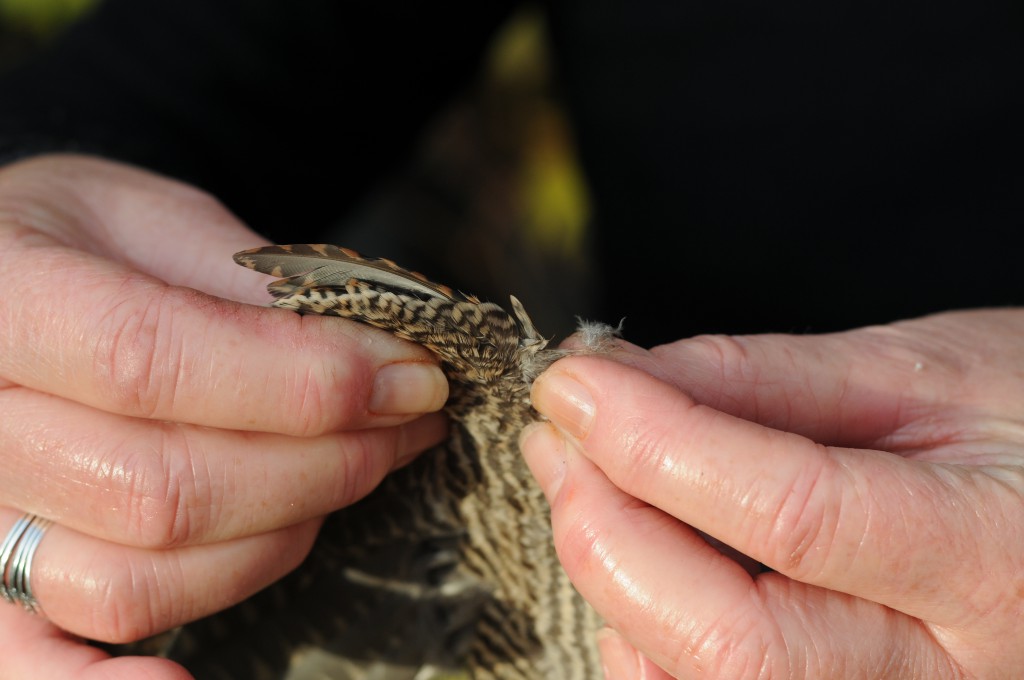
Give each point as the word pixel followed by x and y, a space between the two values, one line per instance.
pixel 694 612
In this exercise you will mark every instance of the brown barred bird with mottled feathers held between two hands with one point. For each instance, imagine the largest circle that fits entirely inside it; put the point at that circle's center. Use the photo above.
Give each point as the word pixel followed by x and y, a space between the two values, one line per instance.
pixel 448 570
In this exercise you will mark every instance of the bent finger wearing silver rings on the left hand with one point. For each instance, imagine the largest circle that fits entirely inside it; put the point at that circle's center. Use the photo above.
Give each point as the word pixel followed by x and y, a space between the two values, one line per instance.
pixel 113 593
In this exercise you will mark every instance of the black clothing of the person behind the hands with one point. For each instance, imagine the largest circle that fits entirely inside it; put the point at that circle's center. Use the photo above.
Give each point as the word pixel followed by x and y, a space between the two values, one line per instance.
pixel 787 166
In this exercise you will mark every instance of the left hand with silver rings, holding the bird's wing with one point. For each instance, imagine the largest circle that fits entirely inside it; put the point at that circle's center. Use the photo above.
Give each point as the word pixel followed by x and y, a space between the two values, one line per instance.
pixel 184 445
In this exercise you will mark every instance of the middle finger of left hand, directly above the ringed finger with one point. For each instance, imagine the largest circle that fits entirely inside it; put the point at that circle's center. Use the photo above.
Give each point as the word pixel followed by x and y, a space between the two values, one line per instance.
pixel 172 485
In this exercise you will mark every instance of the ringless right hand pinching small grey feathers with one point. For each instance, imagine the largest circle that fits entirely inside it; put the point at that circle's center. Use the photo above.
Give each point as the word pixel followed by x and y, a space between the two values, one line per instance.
pixel 877 473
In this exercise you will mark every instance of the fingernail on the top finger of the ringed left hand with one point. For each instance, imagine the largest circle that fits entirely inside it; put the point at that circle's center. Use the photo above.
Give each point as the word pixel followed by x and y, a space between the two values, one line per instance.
pixel 408 390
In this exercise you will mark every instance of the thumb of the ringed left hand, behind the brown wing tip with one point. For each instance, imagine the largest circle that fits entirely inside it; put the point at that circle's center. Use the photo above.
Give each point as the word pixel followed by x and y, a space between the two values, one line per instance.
pixel 155 225
